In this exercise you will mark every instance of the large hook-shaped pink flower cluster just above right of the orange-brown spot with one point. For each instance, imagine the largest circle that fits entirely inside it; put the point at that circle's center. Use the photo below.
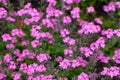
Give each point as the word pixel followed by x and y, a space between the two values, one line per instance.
pixel 28 10
